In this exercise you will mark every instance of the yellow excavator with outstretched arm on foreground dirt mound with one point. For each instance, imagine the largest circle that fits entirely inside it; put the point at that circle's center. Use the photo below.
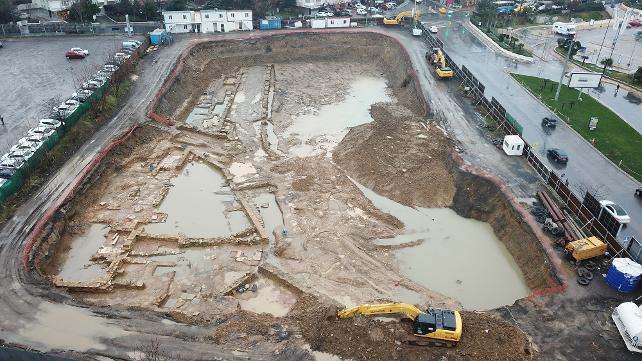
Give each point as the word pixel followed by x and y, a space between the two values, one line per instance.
pixel 435 327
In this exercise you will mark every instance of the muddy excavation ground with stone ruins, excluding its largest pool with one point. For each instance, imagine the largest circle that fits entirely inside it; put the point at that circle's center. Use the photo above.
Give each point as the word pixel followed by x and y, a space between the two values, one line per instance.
pixel 291 235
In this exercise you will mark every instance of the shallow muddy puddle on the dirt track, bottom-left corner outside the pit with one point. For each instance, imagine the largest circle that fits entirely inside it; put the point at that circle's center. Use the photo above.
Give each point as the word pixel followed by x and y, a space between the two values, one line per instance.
pixel 58 326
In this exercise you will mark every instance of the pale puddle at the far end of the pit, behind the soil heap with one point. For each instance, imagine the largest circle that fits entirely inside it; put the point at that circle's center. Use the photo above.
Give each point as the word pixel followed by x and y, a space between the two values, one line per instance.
pixel 331 123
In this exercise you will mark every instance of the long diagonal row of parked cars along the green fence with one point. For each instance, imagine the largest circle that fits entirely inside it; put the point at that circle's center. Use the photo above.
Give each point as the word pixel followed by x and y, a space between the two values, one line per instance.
pixel 36 137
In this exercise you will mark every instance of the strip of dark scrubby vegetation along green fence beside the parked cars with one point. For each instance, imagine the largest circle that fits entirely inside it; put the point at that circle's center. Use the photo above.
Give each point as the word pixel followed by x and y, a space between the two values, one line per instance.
pixel 72 140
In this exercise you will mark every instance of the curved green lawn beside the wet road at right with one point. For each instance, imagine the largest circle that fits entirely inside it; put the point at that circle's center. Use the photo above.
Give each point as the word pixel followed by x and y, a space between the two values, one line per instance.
pixel 613 137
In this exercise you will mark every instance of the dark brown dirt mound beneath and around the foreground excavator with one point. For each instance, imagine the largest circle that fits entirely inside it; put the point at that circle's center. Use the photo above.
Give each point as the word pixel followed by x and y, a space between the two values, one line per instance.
pixel 366 338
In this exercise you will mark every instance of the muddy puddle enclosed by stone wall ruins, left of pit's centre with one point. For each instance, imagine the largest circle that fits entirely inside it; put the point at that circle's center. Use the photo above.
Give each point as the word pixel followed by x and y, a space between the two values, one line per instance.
pixel 196 205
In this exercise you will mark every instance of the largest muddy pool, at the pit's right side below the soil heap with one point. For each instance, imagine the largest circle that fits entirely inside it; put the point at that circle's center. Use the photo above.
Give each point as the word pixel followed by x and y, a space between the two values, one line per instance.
pixel 459 257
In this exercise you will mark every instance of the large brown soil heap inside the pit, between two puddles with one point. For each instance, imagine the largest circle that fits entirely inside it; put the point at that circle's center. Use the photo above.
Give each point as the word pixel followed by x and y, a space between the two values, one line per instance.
pixel 397 147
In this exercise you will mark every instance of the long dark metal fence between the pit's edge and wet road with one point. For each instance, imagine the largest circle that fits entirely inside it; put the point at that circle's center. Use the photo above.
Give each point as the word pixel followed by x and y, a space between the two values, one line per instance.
pixel 509 125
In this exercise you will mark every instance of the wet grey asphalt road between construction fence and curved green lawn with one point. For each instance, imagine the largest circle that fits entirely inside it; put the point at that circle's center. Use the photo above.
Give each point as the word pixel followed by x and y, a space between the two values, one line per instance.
pixel 586 167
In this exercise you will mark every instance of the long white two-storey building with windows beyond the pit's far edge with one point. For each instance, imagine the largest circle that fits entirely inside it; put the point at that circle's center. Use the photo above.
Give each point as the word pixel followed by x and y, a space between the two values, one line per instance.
pixel 207 21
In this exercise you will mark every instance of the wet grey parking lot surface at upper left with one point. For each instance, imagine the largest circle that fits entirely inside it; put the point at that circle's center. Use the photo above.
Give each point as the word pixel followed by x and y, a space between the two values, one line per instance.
pixel 35 70
